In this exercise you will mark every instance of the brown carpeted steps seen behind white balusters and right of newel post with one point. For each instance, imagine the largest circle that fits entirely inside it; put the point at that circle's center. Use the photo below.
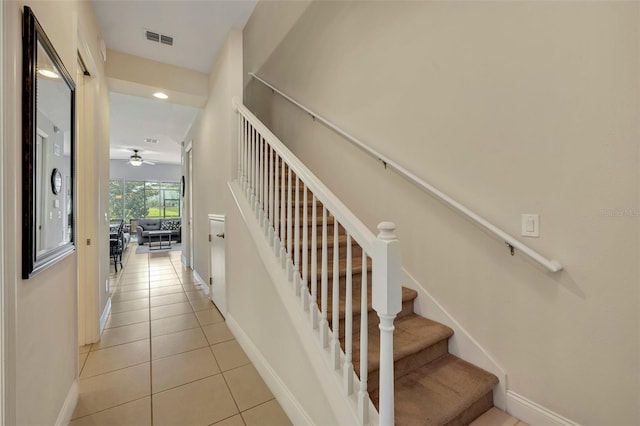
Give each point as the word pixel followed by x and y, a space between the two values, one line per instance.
pixel 432 387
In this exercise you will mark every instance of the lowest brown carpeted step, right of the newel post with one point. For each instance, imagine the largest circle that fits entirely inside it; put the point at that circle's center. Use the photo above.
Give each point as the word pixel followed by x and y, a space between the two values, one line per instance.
pixel 447 391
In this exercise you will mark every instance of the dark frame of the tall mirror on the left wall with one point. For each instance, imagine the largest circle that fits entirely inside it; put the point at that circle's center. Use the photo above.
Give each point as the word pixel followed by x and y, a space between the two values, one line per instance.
pixel 32 262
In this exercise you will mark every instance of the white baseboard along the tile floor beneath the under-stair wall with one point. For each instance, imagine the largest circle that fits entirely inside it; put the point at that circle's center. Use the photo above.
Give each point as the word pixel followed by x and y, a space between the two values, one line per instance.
pixel 285 397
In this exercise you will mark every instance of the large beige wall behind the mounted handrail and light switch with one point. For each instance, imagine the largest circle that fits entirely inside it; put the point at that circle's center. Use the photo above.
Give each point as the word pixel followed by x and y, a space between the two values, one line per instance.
pixel 511 108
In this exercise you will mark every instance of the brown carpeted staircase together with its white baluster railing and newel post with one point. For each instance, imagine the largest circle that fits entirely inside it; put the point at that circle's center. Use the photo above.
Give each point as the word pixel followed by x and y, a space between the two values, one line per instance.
pixel 316 244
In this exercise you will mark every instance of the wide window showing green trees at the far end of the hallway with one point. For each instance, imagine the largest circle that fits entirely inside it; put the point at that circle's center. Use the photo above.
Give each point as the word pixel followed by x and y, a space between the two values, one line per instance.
pixel 137 199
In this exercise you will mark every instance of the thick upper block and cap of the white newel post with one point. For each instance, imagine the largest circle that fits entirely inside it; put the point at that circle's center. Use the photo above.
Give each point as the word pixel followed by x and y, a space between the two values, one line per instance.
pixel 387 271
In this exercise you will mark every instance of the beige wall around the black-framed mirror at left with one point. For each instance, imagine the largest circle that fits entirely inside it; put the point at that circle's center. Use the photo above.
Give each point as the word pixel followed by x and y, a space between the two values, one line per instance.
pixel 41 313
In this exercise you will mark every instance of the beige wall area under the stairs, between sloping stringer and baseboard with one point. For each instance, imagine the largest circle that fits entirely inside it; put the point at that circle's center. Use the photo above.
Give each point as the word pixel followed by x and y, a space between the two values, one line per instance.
pixel 256 306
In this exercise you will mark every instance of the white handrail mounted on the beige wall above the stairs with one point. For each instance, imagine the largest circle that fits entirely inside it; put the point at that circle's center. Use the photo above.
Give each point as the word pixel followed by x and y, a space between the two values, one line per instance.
pixel 551 264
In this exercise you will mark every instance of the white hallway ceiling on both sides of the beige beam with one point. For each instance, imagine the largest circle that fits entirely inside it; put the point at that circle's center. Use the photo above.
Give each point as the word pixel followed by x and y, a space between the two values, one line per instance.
pixel 199 29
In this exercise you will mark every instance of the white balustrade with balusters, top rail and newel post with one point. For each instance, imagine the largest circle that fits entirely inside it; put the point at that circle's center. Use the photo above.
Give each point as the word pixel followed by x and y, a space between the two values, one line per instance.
pixel 301 217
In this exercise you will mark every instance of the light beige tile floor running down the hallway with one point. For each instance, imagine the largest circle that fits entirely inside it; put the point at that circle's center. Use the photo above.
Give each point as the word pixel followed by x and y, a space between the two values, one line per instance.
pixel 166 356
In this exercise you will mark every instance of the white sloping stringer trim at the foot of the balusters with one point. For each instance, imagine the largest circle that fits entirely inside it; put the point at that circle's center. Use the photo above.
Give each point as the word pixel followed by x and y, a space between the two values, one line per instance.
pixel 344 407
